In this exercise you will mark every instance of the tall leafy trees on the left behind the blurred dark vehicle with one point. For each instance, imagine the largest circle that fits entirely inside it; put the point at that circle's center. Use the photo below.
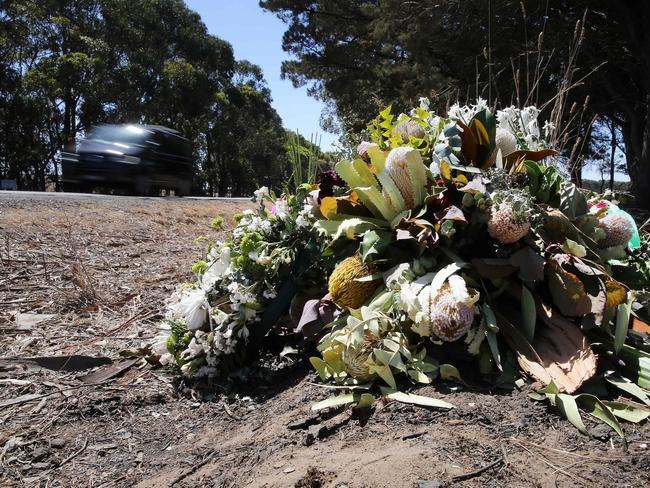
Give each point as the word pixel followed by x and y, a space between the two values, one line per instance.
pixel 67 65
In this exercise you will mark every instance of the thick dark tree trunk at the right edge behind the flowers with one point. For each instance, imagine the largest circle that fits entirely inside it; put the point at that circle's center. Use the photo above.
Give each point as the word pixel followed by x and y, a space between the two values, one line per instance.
pixel 636 135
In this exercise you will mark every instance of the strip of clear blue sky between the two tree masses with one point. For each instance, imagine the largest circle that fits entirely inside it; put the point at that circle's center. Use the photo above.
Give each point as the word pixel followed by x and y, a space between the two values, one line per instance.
pixel 256 36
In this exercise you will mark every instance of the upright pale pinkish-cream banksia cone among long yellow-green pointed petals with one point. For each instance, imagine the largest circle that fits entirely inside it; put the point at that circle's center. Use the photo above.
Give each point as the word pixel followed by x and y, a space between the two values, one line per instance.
pixel 406 169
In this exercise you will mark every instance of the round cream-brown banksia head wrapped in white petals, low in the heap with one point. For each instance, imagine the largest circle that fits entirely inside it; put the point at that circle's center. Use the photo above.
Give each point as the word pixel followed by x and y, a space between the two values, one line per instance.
pixel 449 311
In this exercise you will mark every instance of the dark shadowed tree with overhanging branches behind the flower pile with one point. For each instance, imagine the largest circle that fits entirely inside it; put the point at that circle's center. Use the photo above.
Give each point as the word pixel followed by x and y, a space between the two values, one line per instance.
pixel 361 55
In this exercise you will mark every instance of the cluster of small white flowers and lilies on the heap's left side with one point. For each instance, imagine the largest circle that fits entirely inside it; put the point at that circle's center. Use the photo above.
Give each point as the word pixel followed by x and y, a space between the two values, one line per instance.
pixel 209 319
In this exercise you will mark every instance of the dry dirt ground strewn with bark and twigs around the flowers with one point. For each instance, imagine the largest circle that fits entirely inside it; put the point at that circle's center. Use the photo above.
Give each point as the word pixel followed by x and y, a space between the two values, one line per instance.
pixel 90 277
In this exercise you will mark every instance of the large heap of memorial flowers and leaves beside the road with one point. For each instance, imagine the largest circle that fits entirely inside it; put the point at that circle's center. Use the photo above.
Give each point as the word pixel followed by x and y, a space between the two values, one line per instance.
pixel 445 242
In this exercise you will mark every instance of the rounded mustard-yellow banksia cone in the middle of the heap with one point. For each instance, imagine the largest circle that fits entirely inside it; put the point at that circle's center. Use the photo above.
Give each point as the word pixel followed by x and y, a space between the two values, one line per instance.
pixel 345 291
